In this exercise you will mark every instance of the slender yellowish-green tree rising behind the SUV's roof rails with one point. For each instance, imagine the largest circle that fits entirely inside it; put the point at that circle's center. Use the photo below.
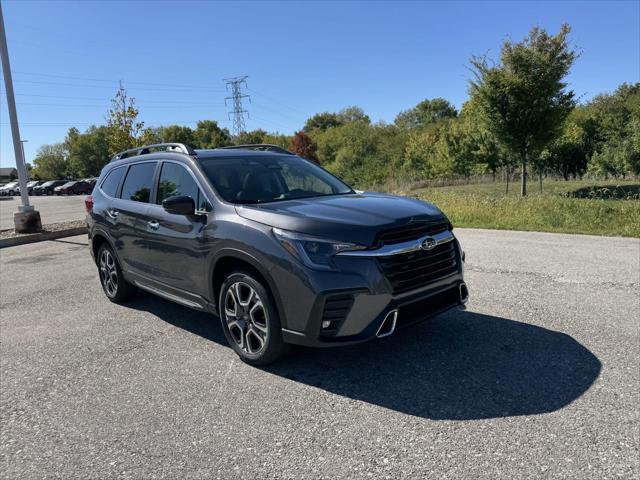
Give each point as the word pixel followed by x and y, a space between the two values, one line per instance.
pixel 122 123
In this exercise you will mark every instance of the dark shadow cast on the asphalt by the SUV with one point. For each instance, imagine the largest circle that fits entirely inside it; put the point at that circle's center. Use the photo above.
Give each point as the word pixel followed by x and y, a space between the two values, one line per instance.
pixel 460 365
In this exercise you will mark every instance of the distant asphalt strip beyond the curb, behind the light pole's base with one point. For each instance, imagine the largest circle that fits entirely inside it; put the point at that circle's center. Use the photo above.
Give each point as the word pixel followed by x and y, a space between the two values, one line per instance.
pixel 52 209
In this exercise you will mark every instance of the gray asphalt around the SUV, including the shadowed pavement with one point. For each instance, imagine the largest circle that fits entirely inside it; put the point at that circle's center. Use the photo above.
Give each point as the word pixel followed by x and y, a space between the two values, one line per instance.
pixel 538 378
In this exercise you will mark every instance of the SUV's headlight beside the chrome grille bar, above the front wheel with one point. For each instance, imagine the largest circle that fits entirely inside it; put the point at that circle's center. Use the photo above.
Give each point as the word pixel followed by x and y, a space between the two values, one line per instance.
pixel 314 252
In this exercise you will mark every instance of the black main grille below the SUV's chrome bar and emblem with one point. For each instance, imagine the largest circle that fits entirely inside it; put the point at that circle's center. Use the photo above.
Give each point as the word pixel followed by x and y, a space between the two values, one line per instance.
pixel 411 270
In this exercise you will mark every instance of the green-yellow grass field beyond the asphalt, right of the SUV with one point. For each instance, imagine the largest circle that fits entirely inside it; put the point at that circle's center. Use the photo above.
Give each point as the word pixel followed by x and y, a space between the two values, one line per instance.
pixel 553 210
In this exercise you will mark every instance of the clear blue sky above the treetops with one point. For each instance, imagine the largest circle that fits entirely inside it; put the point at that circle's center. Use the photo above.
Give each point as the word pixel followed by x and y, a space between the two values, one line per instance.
pixel 301 57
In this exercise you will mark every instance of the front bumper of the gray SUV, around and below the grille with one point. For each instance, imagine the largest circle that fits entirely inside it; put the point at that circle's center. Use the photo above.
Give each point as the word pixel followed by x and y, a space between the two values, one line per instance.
pixel 362 290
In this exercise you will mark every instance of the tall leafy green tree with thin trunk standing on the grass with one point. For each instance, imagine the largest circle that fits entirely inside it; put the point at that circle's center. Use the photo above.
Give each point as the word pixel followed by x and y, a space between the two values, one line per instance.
pixel 525 98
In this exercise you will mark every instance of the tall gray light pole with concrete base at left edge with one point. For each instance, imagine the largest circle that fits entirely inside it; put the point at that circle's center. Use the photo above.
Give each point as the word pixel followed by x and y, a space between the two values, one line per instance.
pixel 26 219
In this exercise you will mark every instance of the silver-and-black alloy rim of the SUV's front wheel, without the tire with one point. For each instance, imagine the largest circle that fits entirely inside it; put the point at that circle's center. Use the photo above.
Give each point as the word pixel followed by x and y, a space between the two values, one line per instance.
pixel 246 318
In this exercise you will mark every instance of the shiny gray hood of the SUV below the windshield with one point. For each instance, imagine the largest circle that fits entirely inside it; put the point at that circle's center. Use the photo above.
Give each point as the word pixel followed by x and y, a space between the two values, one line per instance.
pixel 351 218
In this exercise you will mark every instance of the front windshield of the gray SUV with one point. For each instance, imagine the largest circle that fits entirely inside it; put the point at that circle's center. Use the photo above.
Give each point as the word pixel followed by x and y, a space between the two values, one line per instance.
pixel 270 179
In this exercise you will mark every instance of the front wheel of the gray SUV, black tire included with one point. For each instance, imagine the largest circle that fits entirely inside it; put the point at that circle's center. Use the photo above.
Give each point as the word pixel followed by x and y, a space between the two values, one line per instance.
pixel 273 347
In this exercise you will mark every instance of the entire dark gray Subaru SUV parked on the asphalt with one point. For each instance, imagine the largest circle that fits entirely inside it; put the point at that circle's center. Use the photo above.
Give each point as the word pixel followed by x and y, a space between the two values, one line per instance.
pixel 280 249
